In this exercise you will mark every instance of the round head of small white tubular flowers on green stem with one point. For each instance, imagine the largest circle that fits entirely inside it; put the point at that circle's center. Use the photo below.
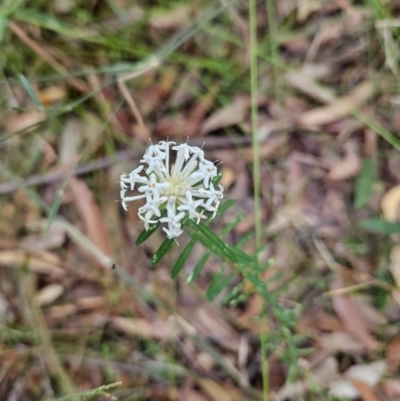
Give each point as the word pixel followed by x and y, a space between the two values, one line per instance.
pixel 178 179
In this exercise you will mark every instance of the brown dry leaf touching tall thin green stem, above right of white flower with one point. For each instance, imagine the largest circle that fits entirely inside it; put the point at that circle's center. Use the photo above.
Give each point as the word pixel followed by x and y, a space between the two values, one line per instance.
pixel 229 115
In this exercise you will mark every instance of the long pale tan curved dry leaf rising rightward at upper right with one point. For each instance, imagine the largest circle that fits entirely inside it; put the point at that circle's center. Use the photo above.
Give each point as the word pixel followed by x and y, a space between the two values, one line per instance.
pixel 339 109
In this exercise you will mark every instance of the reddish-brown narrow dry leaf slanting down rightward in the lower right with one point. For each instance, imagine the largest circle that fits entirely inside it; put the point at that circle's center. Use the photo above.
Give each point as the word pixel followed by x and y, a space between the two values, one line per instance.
pixel 348 312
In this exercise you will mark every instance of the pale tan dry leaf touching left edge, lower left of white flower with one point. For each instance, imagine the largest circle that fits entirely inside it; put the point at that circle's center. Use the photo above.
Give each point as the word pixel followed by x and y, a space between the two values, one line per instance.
pixel 42 262
